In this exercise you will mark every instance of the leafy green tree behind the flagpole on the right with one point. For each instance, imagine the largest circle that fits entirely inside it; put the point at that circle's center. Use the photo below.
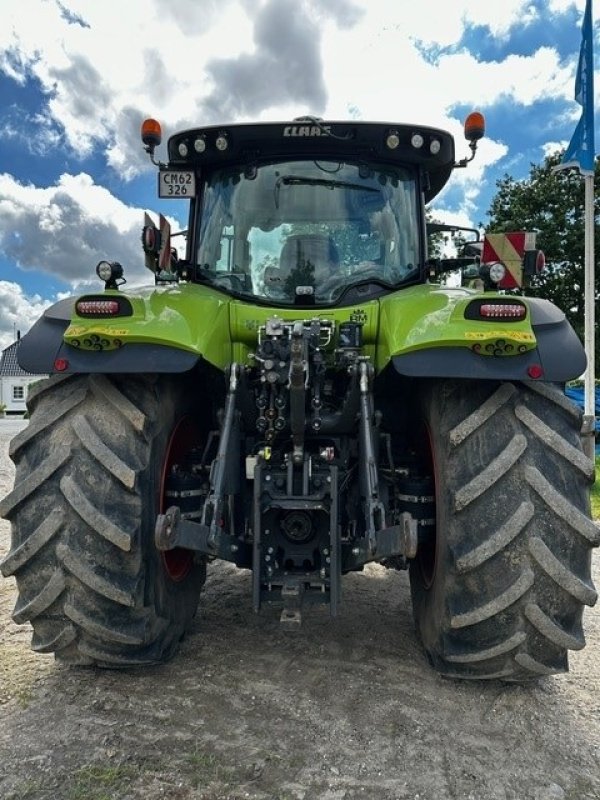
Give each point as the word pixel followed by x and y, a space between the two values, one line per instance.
pixel 552 204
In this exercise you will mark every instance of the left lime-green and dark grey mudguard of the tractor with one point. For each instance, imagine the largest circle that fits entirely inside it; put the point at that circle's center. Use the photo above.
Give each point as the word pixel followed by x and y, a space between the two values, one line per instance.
pixel 165 330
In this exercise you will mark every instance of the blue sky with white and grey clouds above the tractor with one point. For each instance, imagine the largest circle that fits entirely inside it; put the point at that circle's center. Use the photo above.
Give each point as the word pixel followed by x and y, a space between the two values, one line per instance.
pixel 77 77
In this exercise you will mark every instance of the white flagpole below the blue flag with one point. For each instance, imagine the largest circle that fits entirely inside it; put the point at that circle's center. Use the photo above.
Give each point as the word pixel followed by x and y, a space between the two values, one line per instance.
pixel 589 413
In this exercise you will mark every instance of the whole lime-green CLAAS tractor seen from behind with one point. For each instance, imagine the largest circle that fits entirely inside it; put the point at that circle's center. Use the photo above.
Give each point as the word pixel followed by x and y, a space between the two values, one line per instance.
pixel 302 393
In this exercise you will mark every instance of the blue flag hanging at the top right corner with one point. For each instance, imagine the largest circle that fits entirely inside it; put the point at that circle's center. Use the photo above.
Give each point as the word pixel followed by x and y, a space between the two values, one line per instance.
pixel 581 150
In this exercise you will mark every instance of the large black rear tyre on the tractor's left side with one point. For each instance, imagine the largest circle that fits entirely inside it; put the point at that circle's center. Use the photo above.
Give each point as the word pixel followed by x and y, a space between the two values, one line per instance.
pixel 89 473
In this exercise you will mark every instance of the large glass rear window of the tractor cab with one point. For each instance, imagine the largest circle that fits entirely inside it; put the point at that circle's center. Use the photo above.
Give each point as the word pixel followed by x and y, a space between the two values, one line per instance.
pixel 284 231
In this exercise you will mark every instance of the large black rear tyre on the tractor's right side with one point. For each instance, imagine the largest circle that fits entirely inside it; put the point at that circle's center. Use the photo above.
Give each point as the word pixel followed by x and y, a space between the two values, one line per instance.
pixel 500 591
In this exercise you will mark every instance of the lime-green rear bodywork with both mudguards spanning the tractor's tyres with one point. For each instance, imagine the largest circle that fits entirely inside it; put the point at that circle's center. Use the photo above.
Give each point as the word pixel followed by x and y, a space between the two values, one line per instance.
pixel 426 331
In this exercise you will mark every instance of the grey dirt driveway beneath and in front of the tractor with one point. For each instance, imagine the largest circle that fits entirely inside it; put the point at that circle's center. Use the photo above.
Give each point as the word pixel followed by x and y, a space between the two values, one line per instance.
pixel 338 710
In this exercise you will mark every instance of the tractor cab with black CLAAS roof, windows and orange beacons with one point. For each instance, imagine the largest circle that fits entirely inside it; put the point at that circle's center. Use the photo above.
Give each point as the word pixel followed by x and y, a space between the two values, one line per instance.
pixel 300 214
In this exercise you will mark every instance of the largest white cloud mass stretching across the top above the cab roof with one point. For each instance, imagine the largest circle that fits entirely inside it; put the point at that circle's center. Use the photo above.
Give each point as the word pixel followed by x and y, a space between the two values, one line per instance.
pixel 235 59
